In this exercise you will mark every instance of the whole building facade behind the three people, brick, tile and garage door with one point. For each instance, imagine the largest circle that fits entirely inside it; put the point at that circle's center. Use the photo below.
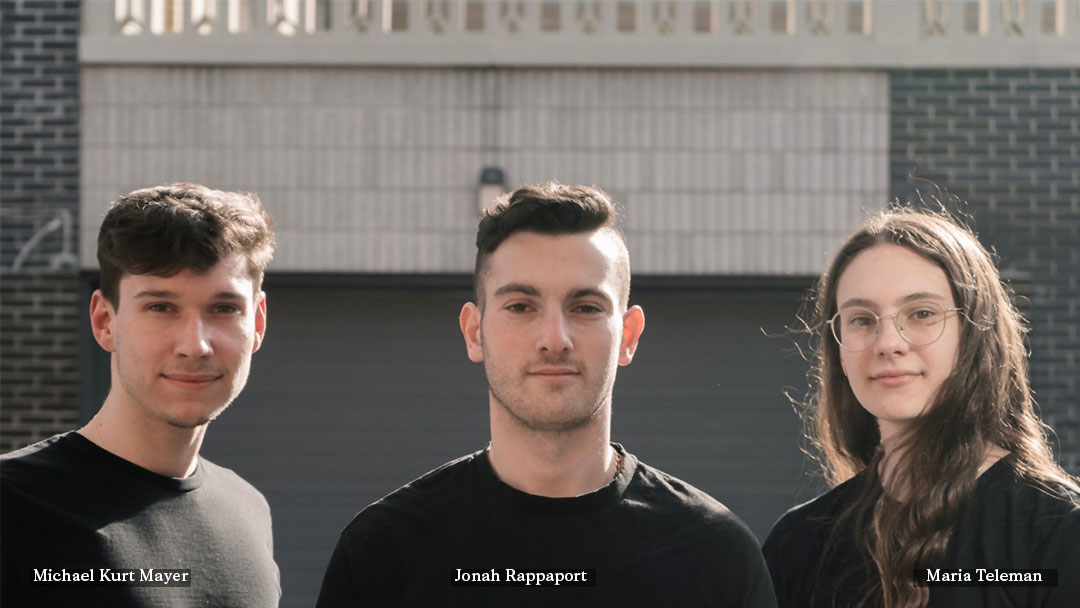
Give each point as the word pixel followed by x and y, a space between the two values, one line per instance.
pixel 744 140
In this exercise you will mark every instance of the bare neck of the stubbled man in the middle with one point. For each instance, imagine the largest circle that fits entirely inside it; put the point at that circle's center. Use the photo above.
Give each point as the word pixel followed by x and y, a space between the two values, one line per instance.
pixel 552 465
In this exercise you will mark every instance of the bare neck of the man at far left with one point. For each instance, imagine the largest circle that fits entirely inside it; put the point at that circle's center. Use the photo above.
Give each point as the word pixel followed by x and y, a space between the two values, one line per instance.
pixel 128 431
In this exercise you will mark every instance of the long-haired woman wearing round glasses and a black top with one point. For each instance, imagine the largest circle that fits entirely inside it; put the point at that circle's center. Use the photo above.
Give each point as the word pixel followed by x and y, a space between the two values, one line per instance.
pixel 925 425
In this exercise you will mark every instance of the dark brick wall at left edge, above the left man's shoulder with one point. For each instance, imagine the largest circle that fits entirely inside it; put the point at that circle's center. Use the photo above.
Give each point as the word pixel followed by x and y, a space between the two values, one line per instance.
pixel 39 185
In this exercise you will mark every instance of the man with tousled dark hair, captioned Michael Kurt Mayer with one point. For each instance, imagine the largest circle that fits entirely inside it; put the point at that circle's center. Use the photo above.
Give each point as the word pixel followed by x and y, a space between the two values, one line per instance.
pixel 124 512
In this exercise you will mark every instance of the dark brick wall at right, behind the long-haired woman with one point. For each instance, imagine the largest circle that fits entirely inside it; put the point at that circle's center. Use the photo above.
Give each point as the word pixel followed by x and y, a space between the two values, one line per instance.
pixel 1008 143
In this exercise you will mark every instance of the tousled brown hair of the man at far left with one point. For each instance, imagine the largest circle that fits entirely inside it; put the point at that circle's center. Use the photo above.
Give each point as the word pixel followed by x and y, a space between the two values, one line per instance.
pixel 168 229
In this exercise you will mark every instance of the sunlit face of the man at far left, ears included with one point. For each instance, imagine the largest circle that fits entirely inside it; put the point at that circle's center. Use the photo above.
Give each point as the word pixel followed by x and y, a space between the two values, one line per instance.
pixel 182 346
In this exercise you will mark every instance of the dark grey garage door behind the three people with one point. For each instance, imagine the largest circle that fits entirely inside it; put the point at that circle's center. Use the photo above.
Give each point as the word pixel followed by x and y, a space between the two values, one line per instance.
pixel 359 389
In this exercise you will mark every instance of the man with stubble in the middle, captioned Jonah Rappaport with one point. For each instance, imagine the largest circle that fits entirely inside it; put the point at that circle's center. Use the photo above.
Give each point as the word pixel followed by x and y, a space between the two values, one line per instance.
pixel 551 512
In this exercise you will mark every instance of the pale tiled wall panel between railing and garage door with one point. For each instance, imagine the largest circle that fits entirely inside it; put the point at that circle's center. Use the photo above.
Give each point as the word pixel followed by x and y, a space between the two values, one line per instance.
pixel 374 170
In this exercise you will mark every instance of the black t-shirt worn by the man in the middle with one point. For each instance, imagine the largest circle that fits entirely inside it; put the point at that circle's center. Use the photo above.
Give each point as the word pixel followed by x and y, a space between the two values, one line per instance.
pixel 652 539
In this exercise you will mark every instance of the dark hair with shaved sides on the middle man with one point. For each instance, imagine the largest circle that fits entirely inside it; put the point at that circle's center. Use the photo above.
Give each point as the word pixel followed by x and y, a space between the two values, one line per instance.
pixel 547 209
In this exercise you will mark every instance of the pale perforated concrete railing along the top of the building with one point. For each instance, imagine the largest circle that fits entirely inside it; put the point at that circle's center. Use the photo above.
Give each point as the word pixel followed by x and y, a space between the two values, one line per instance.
pixel 618 33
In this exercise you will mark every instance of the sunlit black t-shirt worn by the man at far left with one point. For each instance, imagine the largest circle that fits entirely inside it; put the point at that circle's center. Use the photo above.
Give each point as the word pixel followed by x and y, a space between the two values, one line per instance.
pixel 70 508
